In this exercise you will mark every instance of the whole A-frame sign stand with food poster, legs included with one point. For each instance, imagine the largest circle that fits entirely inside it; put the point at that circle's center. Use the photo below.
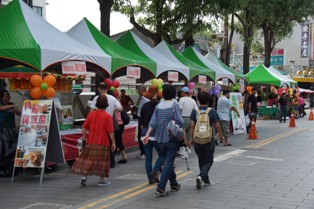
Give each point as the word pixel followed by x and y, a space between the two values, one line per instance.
pixel 39 137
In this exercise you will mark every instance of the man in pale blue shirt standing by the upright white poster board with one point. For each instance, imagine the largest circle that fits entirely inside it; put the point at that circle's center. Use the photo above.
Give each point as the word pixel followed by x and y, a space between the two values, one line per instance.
pixel 224 106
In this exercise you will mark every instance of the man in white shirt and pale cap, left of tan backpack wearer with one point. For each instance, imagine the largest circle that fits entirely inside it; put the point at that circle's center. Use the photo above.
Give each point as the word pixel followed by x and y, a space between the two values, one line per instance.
pixel 186 104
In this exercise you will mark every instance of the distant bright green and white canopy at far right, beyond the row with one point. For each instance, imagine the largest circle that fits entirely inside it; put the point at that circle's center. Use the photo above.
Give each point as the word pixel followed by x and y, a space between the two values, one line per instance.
pixel 262 75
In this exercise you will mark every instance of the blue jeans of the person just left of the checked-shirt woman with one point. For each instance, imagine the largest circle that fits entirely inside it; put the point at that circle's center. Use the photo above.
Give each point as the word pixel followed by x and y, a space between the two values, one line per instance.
pixel 148 148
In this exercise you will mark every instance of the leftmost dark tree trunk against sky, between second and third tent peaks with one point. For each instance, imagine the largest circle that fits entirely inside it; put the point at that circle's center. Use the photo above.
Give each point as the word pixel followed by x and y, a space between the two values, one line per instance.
pixel 105 10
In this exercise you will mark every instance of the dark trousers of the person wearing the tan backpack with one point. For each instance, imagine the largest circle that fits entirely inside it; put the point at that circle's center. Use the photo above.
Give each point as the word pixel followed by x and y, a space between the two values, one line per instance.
pixel 205 154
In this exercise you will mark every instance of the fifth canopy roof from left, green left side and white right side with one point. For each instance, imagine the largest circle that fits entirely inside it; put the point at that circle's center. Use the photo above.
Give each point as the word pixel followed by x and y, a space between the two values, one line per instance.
pixel 198 58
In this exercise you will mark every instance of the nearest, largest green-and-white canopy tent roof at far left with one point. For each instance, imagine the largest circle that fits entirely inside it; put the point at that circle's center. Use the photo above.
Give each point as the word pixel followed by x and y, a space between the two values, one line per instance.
pixel 27 38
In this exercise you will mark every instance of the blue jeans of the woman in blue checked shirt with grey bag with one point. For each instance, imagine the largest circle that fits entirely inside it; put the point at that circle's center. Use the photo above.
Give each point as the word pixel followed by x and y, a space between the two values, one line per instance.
pixel 168 151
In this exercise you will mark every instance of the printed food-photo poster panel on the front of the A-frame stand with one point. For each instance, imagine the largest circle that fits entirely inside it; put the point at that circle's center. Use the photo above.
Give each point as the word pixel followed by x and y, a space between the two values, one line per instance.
pixel 34 132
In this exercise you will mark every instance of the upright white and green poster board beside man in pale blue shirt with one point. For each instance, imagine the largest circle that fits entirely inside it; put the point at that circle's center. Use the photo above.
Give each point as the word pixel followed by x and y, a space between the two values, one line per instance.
pixel 239 126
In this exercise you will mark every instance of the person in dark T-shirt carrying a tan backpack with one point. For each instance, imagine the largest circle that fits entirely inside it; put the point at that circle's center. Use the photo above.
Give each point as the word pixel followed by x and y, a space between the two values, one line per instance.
pixel 203 119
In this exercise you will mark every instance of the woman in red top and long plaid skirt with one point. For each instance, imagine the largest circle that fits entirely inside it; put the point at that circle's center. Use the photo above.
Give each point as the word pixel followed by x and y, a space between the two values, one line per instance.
pixel 95 157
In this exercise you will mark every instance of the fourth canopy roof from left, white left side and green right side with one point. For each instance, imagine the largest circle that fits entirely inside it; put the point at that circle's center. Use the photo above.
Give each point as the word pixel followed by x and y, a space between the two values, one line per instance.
pixel 172 54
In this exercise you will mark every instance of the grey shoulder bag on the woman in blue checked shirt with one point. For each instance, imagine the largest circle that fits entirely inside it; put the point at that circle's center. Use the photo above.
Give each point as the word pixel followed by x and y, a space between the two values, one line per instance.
pixel 174 130
